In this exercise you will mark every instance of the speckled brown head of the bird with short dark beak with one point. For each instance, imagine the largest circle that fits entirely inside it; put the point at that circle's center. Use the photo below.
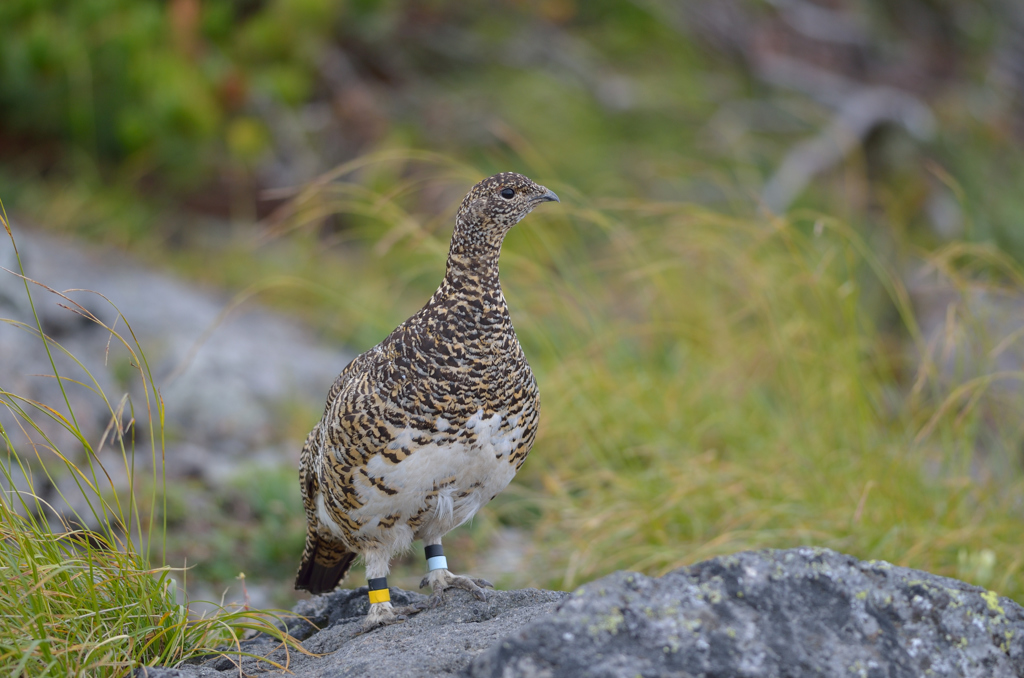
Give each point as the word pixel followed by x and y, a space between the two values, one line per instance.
pixel 498 203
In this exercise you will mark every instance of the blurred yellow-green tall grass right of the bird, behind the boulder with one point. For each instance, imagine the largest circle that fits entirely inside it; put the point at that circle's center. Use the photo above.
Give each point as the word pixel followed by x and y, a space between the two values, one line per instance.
pixel 752 402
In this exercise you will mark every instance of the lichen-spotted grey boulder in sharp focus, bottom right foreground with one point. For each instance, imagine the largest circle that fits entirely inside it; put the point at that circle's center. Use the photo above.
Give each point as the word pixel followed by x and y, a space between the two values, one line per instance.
pixel 797 613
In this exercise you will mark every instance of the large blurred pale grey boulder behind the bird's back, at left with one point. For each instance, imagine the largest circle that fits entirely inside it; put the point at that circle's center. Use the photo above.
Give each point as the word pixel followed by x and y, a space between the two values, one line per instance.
pixel 224 373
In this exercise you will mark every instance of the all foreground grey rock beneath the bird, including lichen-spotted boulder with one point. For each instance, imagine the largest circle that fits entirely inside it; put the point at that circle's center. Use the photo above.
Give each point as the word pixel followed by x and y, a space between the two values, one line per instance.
pixel 796 613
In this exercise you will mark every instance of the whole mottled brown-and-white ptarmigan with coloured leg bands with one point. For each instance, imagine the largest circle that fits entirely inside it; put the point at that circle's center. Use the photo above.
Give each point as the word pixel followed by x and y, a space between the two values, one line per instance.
pixel 429 427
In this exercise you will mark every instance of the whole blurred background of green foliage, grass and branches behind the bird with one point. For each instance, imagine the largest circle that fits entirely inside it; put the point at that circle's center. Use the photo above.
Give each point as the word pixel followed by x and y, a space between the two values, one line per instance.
pixel 780 304
